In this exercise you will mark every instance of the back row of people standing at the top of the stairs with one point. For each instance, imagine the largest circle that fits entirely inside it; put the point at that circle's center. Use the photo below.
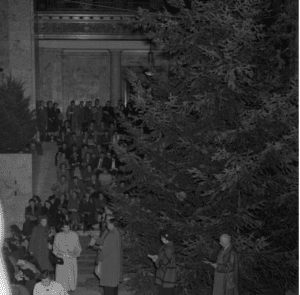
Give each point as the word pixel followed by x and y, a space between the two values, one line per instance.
pixel 51 123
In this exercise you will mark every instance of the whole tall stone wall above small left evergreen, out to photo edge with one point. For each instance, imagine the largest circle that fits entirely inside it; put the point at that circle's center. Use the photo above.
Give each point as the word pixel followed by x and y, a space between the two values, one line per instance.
pixel 17 43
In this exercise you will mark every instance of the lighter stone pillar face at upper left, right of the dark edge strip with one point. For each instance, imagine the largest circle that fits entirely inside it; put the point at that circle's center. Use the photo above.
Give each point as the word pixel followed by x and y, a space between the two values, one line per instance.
pixel 22 45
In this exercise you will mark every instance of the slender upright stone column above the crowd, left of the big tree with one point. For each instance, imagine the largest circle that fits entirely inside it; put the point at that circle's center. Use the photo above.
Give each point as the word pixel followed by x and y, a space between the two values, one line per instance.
pixel 115 77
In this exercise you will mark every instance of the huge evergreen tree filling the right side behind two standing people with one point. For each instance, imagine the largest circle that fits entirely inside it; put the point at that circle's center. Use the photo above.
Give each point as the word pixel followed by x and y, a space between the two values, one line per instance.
pixel 216 149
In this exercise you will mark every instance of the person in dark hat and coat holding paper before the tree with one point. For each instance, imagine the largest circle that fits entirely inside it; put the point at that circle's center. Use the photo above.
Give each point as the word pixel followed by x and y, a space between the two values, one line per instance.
pixel 165 263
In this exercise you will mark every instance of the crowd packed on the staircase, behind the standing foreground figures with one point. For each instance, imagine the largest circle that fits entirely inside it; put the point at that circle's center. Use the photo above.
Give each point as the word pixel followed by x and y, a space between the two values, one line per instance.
pixel 87 166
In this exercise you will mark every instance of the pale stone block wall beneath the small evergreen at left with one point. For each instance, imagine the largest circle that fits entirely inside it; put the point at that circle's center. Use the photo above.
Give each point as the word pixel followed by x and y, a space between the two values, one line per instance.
pixel 15 187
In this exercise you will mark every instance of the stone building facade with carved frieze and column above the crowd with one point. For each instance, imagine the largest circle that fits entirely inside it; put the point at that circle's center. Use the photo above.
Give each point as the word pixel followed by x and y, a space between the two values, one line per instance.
pixel 63 54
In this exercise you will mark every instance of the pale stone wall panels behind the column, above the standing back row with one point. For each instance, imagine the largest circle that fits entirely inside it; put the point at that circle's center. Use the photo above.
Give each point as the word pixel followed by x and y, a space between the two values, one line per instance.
pixel 65 75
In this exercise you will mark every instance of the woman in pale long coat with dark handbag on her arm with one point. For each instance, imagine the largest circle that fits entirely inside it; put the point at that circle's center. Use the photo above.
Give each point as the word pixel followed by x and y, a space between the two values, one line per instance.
pixel 66 246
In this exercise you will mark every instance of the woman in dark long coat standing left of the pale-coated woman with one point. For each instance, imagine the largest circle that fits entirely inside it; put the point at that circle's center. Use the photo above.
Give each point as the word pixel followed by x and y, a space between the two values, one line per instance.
pixel 38 244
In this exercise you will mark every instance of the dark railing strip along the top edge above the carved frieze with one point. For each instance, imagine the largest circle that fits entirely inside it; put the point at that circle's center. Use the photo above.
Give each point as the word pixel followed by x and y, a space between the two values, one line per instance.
pixel 116 6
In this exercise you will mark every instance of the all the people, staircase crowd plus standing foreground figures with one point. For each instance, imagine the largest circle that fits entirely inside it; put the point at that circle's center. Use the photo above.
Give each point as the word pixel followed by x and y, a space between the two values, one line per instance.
pixel 87 172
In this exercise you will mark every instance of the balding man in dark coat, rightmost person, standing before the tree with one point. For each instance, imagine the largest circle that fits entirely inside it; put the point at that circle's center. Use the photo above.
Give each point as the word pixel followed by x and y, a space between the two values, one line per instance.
pixel 226 269
